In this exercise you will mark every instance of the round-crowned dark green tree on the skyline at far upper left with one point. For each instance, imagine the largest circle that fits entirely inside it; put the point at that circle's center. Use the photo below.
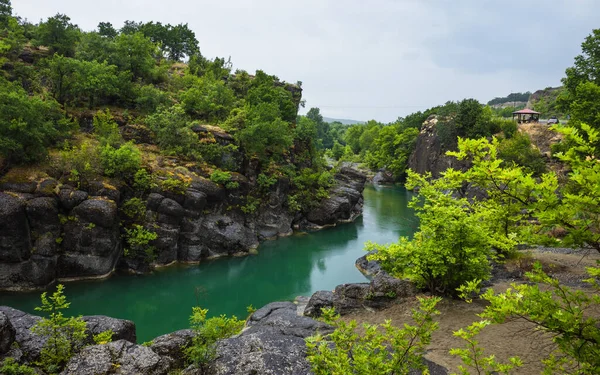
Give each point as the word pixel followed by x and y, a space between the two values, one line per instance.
pixel 59 34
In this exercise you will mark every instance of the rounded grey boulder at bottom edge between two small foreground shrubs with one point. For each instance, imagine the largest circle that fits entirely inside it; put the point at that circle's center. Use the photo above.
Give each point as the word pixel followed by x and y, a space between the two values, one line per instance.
pixel 121 357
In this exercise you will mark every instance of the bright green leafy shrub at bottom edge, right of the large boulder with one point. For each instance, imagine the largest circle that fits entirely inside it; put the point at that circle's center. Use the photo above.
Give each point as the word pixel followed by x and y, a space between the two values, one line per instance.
pixel 379 350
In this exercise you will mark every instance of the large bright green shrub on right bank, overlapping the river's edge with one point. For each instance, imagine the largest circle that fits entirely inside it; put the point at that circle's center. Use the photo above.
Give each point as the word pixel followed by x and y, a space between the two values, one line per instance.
pixel 453 243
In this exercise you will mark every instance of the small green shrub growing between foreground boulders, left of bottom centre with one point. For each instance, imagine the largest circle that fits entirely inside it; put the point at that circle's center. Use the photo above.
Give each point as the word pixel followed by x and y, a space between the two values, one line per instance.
pixel 202 351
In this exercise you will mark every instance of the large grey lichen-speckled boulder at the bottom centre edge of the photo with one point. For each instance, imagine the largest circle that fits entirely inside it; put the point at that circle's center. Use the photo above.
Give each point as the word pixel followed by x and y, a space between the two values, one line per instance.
pixel 272 345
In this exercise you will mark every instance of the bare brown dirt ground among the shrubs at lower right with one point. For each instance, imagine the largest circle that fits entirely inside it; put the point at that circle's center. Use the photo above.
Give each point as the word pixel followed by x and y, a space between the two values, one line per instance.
pixel 504 340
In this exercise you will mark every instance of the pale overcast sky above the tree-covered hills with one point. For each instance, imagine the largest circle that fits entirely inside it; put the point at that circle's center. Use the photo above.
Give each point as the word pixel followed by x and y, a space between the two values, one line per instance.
pixel 370 59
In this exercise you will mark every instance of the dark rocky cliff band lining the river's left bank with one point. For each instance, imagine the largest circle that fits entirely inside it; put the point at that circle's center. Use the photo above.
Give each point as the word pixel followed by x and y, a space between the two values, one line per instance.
pixel 51 231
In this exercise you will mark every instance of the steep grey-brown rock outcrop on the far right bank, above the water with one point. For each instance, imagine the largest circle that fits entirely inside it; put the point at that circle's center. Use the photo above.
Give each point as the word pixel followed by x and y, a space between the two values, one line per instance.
pixel 428 155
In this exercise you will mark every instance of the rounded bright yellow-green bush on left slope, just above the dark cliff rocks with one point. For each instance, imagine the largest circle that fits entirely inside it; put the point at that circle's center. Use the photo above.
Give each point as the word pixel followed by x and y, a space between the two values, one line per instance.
pixel 124 161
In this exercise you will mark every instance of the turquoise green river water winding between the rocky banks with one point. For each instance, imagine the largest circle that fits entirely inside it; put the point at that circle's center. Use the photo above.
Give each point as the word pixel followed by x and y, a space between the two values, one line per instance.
pixel 283 269
